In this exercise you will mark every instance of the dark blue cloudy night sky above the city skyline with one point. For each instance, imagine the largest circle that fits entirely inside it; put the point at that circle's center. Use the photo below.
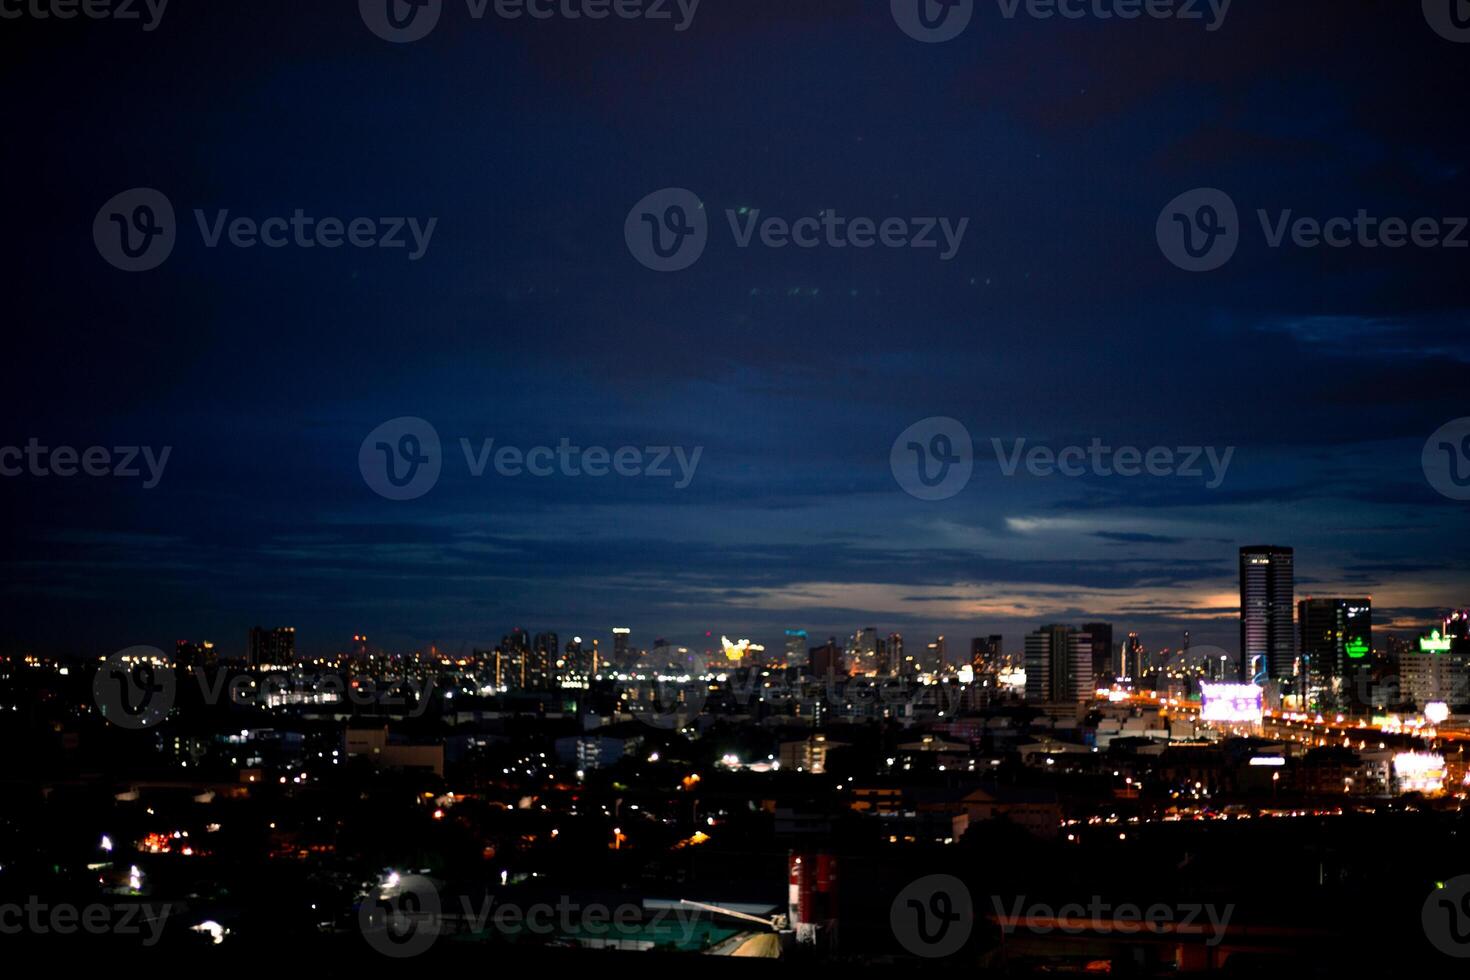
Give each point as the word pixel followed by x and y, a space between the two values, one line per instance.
pixel 528 321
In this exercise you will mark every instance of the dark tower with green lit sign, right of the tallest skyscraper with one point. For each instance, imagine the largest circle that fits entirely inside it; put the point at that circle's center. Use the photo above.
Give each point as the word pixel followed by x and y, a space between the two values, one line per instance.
pixel 1337 653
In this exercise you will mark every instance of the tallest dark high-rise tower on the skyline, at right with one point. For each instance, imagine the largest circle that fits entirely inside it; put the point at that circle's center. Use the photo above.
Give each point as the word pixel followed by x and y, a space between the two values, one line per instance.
pixel 1268 606
